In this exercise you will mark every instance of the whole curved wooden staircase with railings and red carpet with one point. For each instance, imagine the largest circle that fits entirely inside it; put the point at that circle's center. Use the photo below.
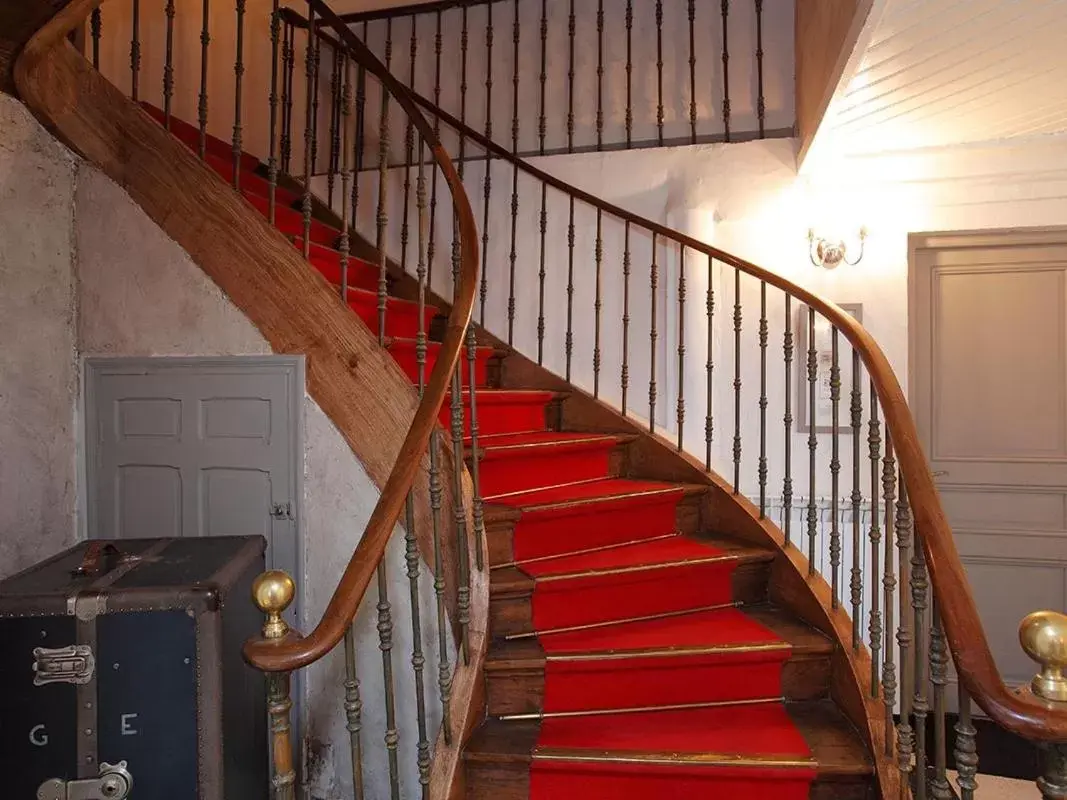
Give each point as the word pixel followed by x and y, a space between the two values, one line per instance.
pixel 651 633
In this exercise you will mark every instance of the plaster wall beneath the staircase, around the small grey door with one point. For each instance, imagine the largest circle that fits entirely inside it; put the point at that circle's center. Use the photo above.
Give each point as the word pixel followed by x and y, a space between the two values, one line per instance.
pixel 141 295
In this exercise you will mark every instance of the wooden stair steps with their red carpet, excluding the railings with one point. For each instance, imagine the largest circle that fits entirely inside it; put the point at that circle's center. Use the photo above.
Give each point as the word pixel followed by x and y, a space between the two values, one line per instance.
pixel 636 650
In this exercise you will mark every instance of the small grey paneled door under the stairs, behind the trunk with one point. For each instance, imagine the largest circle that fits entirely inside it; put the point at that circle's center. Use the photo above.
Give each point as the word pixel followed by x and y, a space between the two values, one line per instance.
pixel 196 447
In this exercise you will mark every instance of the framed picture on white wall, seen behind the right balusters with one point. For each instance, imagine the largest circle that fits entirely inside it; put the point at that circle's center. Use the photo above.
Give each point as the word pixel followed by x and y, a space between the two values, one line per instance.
pixel 823 343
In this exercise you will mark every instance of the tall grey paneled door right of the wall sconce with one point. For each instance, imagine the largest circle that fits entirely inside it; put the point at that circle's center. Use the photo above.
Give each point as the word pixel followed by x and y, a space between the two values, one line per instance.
pixel 989 321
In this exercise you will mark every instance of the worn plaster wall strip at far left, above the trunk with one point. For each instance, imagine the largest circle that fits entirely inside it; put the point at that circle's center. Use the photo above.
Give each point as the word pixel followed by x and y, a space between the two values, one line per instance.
pixel 38 367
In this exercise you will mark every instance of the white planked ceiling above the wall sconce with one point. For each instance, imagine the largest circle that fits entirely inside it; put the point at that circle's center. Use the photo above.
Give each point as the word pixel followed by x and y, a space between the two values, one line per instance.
pixel 938 73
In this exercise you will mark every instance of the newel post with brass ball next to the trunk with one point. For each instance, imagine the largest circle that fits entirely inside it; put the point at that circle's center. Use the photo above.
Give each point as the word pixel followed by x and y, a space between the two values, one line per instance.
pixel 274 593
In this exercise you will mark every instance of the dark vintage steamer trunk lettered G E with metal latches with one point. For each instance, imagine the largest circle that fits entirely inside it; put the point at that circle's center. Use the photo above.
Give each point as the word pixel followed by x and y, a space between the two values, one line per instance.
pixel 131 651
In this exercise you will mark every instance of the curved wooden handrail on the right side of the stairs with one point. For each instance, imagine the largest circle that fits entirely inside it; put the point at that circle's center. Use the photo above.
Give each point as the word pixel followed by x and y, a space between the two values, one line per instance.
pixel 1018 712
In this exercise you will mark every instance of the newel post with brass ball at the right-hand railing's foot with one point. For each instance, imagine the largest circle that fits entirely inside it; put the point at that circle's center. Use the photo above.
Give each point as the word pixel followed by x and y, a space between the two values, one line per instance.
pixel 1044 637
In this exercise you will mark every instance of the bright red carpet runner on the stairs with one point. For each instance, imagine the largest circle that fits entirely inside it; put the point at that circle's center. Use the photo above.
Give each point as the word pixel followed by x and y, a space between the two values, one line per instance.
pixel 657 686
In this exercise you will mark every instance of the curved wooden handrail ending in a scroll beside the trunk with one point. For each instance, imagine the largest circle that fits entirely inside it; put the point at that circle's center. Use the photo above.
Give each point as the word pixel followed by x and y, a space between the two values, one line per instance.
pixel 295 653
